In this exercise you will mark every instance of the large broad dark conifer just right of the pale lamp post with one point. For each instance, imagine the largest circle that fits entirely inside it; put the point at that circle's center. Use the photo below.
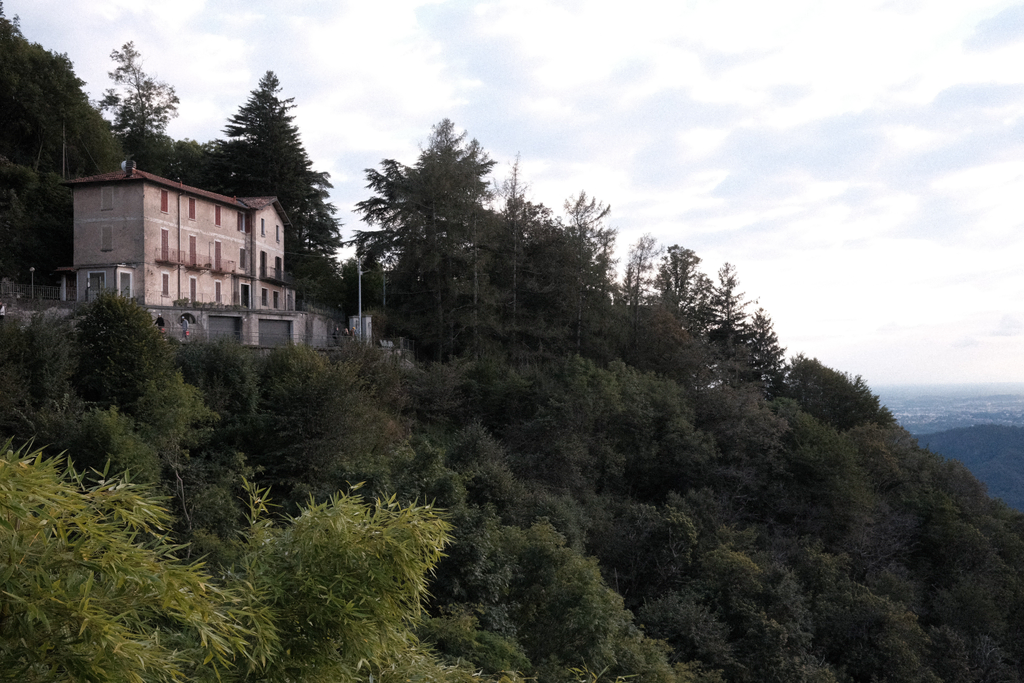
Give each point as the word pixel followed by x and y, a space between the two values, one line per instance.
pixel 435 237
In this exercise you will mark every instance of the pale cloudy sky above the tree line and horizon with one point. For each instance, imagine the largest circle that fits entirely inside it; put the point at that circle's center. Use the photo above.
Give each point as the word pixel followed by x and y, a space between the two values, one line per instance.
pixel 862 164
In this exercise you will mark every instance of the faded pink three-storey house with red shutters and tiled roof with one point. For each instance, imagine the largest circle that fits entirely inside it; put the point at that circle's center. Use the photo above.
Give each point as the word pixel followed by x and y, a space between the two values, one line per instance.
pixel 166 244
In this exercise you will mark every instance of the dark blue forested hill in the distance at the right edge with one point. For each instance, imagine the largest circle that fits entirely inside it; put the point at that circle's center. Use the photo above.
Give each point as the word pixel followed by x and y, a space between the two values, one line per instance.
pixel 995 454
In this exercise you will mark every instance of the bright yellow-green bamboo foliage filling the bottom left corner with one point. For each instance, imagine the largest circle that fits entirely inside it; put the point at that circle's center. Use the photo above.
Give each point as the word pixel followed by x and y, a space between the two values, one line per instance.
pixel 93 589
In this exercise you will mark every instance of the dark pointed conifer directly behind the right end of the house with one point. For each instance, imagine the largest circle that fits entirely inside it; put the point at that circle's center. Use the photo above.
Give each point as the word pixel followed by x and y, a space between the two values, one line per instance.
pixel 264 156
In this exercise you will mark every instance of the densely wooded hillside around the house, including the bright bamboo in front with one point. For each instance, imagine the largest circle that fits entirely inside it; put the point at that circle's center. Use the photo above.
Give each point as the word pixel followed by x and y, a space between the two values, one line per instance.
pixel 588 472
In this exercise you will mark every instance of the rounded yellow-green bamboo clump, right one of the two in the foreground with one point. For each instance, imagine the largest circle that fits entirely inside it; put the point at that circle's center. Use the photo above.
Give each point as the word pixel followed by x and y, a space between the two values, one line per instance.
pixel 344 582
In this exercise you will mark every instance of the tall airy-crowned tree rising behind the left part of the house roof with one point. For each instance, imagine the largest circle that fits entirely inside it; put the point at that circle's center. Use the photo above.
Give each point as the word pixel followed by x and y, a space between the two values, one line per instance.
pixel 142 108
